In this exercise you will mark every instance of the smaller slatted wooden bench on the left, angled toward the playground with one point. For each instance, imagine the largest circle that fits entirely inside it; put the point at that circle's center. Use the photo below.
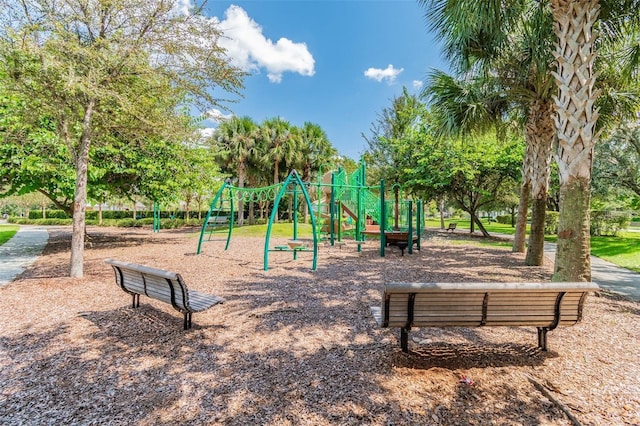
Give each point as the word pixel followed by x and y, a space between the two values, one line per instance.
pixel 168 287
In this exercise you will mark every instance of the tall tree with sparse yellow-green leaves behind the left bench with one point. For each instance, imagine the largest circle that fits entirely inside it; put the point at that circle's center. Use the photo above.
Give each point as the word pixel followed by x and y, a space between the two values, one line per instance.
pixel 75 61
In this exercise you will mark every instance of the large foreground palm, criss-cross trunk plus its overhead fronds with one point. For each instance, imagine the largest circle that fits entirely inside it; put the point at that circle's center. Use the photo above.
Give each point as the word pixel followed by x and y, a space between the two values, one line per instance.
pixel 480 29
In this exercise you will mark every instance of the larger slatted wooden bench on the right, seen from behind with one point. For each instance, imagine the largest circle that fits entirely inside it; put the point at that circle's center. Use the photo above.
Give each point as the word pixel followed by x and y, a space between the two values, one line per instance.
pixel 542 305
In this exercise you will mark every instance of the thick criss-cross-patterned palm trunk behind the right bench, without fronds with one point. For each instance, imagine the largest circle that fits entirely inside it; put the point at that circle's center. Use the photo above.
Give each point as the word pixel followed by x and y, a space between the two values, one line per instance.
pixel 575 122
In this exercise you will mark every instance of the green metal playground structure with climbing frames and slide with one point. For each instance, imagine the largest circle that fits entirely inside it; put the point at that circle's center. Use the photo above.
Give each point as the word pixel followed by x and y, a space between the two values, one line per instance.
pixel 344 206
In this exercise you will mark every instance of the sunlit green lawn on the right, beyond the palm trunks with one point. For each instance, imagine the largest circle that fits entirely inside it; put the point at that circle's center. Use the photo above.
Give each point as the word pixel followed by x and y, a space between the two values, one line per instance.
pixel 623 250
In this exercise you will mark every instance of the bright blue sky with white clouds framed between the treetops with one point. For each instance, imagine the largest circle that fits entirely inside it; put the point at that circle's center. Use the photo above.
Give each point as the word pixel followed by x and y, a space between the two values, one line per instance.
pixel 333 63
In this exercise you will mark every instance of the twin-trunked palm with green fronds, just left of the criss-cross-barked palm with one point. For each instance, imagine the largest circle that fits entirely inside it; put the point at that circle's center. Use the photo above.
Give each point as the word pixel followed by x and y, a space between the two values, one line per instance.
pixel 512 74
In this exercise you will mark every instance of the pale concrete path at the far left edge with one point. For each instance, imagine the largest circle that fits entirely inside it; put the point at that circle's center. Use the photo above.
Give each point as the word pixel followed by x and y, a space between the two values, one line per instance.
pixel 21 251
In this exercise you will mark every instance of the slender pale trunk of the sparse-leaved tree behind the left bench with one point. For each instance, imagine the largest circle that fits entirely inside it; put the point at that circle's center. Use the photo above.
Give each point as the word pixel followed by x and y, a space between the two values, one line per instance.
pixel 76 267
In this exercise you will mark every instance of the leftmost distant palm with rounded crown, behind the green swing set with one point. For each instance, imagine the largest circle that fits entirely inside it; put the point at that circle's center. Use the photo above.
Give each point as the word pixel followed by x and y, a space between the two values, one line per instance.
pixel 235 139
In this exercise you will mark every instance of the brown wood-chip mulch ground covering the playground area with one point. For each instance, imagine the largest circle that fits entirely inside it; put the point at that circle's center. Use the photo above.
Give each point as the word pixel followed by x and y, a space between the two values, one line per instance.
pixel 296 346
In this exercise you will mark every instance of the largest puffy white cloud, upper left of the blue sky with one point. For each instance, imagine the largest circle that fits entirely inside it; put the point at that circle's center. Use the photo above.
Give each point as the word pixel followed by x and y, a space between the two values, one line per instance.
pixel 250 50
